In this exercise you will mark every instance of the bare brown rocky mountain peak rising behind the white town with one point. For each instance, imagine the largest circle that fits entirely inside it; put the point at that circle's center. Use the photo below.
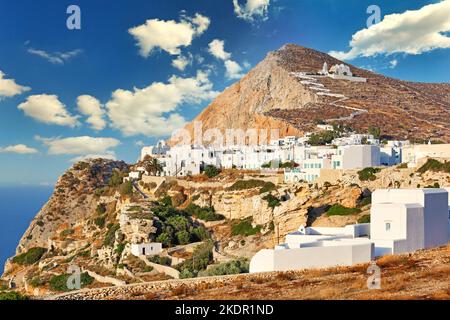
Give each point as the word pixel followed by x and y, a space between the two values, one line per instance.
pixel 271 97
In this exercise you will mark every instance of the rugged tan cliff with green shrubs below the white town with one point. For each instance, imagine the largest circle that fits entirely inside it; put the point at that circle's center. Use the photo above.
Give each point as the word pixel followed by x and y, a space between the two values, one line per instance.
pixel 94 215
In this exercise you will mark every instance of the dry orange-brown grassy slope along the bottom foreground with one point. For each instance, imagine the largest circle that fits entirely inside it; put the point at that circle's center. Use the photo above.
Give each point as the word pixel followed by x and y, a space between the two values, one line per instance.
pixel 423 275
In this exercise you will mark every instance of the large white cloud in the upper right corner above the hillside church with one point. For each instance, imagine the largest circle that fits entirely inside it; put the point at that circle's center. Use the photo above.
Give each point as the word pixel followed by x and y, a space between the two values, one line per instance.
pixel 411 32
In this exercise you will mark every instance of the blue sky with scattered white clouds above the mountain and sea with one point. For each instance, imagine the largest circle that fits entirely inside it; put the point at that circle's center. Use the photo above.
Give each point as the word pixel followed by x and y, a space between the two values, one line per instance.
pixel 123 45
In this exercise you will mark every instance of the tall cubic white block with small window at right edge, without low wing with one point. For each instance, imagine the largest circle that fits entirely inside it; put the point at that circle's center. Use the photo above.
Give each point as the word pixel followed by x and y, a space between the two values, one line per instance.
pixel 405 220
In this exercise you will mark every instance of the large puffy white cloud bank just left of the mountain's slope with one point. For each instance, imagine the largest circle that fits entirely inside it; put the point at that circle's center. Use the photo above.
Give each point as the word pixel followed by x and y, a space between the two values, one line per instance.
pixel 151 110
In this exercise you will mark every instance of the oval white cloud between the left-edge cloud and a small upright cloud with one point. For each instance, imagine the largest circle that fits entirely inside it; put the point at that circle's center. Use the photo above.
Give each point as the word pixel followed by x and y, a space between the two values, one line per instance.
pixel 48 109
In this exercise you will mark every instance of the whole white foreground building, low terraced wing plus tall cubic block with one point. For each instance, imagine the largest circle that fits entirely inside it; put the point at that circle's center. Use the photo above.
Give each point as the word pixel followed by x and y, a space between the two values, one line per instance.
pixel 402 220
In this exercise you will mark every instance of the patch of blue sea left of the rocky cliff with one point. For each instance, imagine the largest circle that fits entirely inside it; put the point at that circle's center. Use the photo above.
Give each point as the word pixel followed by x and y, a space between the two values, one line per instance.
pixel 18 206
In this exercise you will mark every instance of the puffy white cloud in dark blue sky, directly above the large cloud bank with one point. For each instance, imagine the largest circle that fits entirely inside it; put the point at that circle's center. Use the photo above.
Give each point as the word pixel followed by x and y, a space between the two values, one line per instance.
pixel 169 35
